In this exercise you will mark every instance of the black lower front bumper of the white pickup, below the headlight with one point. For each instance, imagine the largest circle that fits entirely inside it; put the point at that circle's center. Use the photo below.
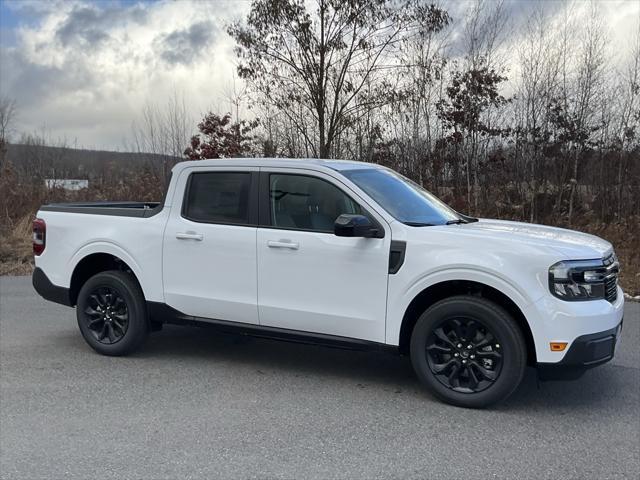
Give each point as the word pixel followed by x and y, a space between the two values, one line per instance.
pixel 586 351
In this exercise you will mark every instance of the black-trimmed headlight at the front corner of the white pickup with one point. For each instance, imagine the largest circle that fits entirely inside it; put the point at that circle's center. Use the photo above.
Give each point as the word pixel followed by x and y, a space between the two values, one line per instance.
pixel 575 280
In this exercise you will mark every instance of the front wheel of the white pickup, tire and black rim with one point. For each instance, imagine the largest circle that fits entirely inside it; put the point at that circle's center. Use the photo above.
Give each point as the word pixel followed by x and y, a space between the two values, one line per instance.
pixel 494 355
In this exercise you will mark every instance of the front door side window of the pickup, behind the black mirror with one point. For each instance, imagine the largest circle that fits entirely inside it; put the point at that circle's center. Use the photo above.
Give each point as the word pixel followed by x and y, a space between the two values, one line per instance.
pixel 307 203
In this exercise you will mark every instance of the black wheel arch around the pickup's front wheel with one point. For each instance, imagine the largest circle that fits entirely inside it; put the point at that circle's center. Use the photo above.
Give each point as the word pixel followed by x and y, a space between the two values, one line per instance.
pixel 448 288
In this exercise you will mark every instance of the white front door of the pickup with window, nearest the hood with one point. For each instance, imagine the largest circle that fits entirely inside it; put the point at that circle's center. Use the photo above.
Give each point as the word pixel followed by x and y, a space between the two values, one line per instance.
pixel 308 278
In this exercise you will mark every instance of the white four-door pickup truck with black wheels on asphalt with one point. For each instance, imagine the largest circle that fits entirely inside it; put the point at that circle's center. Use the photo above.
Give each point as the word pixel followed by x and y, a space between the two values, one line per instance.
pixel 341 253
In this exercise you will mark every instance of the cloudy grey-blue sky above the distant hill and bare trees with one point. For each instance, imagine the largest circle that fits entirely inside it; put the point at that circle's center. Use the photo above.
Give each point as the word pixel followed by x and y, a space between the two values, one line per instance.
pixel 82 70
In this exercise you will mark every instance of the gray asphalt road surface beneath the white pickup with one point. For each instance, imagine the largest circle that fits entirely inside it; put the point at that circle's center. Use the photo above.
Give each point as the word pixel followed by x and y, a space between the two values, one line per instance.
pixel 198 405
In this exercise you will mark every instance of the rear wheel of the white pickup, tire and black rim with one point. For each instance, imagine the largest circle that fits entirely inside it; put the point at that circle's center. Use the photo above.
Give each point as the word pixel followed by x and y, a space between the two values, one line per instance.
pixel 112 314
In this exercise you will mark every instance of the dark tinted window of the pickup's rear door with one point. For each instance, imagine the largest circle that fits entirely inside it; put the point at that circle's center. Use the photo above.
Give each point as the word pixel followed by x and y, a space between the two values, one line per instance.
pixel 218 197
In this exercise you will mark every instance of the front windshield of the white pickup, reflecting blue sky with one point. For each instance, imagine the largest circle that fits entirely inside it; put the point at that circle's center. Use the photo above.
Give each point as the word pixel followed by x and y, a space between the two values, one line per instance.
pixel 405 200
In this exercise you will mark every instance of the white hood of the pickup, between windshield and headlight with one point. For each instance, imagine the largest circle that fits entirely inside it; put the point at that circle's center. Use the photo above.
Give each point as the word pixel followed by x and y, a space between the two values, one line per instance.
pixel 570 244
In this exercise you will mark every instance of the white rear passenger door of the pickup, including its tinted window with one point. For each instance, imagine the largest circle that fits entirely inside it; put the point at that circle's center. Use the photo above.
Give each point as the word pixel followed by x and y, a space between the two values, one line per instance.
pixel 209 254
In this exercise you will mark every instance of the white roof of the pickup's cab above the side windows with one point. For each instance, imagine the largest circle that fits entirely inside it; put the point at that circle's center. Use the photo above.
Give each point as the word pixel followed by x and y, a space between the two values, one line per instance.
pixel 277 162
